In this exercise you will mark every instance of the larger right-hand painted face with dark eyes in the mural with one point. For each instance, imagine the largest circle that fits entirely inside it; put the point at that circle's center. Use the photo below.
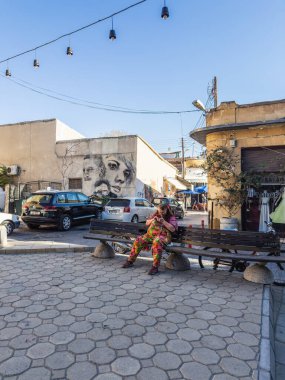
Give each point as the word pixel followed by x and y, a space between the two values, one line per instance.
pixel 119 172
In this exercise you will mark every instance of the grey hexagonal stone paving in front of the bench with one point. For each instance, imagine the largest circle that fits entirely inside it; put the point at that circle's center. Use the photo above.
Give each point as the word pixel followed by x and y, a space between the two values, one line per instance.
pixel 71 316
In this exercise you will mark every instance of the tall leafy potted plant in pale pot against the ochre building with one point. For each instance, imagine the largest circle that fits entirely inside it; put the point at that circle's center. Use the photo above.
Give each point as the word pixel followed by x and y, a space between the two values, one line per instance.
pixel 223 167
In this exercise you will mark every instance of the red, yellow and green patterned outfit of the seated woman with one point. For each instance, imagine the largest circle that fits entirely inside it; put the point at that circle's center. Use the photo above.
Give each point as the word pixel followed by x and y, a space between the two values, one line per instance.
pixel 157 237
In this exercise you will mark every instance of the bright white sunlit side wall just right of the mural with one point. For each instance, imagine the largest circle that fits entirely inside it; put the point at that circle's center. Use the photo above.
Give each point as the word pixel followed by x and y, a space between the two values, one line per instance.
pixel 151 169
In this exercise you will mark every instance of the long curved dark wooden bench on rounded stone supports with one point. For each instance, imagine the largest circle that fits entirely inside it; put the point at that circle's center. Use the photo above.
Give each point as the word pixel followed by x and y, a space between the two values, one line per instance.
pixel 233 248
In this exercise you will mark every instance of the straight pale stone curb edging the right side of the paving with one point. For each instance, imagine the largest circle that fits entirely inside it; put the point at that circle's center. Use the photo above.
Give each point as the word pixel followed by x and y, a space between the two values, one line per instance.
pixel 267 344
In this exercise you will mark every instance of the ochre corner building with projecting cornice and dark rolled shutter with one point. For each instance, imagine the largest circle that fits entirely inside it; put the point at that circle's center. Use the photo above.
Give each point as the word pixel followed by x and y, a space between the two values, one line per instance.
pixel 256 133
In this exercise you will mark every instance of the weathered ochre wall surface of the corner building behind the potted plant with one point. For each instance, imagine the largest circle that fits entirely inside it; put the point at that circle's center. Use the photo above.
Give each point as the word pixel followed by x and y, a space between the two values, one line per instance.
pixel 252 136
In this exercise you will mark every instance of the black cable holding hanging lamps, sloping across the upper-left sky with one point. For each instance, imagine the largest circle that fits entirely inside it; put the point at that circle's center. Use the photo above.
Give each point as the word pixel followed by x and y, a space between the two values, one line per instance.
pixel 73 32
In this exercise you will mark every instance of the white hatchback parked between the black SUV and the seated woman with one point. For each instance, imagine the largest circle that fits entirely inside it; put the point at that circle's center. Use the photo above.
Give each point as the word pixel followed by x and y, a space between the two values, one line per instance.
pixel 128 210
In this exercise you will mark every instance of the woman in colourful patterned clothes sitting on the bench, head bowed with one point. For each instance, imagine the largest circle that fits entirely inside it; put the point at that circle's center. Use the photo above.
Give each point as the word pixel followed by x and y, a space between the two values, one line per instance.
pixel 159 234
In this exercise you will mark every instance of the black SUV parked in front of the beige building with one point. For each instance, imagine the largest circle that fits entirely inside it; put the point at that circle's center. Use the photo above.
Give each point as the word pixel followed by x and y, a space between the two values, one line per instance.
pixel 59 208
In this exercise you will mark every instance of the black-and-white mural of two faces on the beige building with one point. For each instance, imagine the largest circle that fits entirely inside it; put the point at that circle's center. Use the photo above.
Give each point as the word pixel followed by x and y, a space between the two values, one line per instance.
pixel 108 175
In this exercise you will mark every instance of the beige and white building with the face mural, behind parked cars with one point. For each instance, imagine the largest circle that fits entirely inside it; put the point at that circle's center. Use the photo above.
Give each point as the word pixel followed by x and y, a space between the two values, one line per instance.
pixel 48 152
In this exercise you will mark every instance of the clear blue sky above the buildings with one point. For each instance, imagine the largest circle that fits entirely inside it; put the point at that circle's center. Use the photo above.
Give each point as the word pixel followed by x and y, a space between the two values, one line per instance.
pixel 154 64
